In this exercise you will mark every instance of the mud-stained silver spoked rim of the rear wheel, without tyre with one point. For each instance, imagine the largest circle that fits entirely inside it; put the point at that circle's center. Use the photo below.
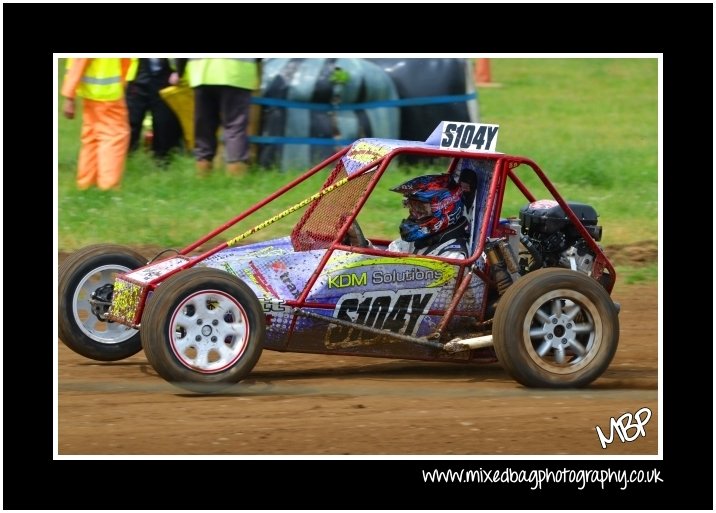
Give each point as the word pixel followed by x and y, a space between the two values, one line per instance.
pixel 564 330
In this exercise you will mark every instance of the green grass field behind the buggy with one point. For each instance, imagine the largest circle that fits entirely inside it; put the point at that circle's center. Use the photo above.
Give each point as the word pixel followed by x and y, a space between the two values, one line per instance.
pixel 591 124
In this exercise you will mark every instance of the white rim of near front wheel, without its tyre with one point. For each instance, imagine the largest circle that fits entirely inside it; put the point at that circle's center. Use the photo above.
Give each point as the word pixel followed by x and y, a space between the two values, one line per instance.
pixel 209 331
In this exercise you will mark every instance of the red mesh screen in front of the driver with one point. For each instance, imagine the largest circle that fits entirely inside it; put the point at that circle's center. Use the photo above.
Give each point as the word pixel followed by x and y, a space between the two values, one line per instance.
pixel 325 217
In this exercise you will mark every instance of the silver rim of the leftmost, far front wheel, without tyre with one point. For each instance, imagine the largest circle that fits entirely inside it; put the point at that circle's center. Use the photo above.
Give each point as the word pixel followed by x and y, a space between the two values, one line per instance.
pixel 100 331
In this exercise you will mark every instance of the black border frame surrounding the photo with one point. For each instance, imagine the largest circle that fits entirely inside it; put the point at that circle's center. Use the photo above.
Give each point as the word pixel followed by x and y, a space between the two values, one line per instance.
pixel 33 480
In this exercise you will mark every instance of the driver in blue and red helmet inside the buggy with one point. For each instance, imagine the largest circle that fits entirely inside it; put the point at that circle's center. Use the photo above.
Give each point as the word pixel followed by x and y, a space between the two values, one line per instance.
pixel 435 225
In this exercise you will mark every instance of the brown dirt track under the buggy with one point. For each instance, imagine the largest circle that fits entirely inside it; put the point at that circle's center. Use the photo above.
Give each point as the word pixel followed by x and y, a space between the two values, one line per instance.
pixel 331 405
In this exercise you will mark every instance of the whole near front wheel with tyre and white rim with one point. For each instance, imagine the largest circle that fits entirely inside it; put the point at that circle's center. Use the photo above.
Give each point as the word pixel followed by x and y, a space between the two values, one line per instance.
pixel 203 330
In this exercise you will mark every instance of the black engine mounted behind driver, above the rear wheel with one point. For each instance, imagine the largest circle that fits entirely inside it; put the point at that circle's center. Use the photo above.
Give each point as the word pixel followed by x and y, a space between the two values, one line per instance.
pixel 551 238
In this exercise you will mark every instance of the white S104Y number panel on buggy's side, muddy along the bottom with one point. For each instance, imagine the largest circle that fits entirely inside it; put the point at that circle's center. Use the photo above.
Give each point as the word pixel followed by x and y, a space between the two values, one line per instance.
pixel 399 312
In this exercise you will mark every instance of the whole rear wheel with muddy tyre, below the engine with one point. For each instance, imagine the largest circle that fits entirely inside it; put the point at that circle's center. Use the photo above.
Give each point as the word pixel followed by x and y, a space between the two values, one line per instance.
pixel 555 328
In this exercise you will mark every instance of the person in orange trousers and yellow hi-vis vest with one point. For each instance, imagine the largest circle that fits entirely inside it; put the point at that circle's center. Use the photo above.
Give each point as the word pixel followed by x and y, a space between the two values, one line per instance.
pixel 105 123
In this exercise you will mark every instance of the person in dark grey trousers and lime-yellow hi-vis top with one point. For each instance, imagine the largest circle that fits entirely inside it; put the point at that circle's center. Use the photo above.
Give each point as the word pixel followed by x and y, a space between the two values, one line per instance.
pixel 222 95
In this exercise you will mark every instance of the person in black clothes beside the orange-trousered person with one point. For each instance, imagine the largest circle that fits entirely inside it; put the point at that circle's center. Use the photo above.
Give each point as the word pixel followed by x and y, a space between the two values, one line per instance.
pixel 150 77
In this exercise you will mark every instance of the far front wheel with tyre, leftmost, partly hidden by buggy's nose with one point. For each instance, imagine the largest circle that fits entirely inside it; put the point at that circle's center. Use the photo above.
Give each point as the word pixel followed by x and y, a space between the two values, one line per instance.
pixel 80 275
